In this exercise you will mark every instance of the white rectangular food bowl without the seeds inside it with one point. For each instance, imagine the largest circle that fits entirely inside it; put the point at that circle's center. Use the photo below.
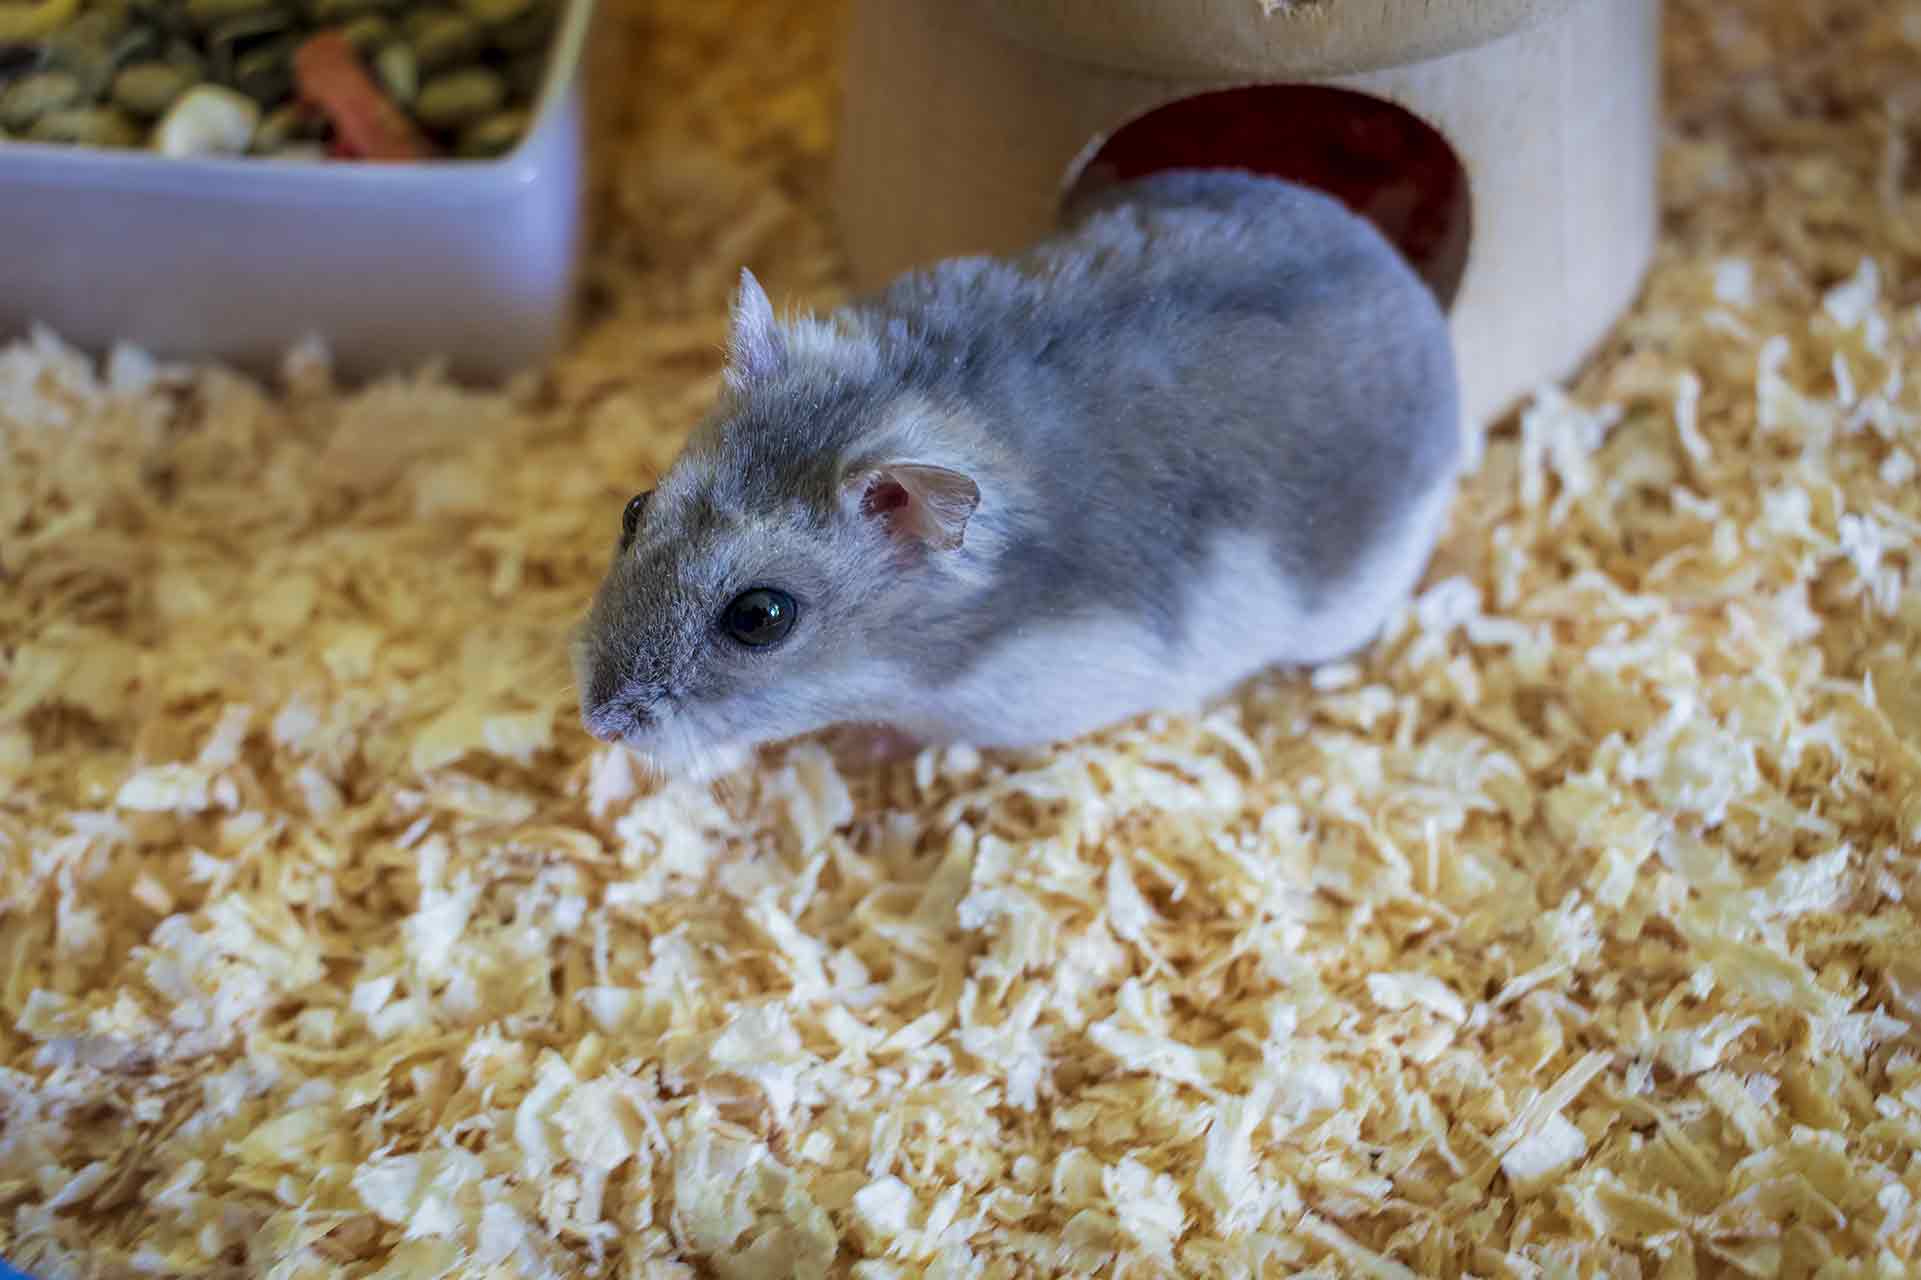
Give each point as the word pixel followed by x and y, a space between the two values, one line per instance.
pixel 241 258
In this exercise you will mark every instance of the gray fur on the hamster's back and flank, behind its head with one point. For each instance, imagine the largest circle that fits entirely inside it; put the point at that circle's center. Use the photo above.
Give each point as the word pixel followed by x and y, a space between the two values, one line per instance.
pixel 1198 355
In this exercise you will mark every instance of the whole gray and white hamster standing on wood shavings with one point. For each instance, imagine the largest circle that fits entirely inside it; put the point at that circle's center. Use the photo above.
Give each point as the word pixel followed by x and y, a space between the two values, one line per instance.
pixel 1209 430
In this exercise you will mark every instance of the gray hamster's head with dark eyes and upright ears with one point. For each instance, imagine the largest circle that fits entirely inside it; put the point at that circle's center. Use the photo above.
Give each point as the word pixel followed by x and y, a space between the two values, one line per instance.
pixel 750 593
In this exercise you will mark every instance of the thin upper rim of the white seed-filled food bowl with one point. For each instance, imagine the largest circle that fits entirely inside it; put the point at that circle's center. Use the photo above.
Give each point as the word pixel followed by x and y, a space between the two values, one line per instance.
pixel 562 78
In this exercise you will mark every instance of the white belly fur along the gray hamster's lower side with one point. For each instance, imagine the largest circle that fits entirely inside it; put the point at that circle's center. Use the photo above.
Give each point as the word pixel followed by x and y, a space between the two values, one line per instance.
pixel 1052 683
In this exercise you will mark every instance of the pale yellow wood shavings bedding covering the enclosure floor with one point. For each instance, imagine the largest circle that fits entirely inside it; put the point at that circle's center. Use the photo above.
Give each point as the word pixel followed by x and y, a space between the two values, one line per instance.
pixel 1567 935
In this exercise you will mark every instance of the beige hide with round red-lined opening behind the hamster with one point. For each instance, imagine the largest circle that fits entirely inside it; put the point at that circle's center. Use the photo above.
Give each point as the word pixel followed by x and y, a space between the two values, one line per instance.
pixel 1507 145
